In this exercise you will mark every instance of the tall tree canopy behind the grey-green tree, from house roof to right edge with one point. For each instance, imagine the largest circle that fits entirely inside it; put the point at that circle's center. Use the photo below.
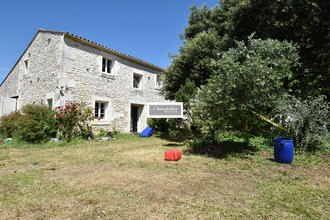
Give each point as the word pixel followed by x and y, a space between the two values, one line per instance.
pixel 306 23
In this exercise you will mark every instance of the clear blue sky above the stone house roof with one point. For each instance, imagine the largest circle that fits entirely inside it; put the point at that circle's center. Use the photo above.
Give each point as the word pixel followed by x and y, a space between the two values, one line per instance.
pixel 146 29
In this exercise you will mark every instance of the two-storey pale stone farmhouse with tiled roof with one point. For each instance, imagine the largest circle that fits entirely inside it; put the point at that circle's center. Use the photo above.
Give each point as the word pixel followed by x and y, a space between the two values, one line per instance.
pixel 59 67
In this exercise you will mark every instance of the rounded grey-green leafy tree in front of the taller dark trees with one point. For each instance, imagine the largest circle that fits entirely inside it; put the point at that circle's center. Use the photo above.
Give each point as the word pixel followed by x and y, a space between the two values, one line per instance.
pixel 246 77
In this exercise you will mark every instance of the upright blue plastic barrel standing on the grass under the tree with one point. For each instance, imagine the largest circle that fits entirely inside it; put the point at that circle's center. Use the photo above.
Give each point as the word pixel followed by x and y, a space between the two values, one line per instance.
pixel 283 150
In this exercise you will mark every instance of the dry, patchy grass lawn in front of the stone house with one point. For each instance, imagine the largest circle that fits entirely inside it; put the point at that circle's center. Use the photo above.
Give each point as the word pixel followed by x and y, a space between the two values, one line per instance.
pixel 128 178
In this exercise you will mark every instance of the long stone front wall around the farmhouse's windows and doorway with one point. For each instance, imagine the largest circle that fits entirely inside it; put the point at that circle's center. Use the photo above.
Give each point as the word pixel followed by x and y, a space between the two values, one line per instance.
pixel 86 82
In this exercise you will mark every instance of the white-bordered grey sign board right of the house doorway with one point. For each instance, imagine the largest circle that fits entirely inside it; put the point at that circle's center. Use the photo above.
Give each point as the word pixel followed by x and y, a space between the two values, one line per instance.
pixel 165 110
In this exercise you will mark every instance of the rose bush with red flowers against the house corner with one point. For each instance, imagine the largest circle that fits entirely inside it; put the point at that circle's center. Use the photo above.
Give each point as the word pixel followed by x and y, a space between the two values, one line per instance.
pixel 73 119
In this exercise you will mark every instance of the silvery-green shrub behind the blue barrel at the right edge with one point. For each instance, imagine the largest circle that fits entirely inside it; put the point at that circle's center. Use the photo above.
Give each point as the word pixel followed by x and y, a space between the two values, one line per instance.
pixel 308 122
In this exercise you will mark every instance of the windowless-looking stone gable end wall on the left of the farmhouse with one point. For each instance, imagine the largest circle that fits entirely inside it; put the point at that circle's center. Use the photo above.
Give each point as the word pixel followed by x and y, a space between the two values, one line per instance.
pixel 36 73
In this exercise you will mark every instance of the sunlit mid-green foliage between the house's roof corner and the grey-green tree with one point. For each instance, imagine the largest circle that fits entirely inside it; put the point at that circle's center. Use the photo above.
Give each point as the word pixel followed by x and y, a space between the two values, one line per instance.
pixel 193 62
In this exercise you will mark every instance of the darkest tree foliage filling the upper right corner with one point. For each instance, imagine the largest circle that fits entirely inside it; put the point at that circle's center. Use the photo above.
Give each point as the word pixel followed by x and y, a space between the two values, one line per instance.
pixel 303 22
